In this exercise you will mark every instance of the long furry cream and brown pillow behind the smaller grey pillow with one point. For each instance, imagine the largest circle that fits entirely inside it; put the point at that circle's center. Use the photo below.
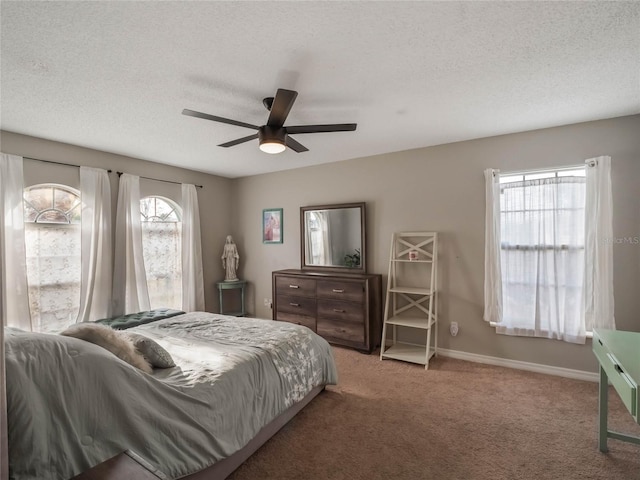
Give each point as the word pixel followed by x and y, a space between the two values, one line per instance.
pixel 114 341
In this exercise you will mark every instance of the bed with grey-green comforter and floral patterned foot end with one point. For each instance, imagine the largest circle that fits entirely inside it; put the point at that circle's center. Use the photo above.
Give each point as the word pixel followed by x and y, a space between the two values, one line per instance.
pixel 73 405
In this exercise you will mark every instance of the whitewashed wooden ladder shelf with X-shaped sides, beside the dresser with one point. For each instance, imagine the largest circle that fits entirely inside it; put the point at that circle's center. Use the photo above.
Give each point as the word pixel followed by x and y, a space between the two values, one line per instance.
pixel 412 302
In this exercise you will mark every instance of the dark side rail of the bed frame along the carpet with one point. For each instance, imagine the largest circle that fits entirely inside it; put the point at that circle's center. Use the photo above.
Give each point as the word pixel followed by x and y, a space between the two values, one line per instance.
pixel 222 469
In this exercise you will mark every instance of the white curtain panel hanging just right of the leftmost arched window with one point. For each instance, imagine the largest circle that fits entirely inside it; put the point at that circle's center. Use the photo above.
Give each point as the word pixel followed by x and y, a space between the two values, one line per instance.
pixel 96 250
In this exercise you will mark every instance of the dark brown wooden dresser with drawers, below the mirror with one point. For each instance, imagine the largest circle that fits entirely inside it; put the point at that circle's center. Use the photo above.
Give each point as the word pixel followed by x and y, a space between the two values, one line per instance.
pixel 344 308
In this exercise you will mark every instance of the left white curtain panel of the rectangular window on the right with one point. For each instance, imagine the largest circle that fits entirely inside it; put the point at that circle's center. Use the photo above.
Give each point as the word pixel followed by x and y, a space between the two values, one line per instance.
pixel 492 265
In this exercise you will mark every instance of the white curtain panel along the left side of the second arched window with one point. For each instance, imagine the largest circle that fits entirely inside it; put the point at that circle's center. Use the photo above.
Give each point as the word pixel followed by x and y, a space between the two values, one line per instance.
pixel 130 294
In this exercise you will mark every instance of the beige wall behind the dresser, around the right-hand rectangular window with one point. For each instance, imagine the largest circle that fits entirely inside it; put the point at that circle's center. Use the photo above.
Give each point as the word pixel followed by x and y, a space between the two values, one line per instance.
pixel 442 188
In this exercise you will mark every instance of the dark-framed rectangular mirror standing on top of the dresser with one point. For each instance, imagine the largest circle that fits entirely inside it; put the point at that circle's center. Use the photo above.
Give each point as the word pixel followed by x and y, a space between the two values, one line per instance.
pixel 332 237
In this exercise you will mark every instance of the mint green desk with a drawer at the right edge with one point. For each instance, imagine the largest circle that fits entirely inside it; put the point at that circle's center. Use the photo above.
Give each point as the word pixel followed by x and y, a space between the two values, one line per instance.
pixel 619 356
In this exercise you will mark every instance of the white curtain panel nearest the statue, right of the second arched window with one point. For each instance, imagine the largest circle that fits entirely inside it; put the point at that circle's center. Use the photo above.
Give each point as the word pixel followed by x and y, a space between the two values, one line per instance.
pixel 192 278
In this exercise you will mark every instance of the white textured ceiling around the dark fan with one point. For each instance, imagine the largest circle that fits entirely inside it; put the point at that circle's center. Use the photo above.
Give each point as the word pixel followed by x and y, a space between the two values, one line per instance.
pixel 115 76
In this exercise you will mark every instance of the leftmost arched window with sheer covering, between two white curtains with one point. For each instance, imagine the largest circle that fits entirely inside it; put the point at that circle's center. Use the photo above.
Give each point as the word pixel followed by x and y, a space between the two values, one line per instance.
pixel 52 241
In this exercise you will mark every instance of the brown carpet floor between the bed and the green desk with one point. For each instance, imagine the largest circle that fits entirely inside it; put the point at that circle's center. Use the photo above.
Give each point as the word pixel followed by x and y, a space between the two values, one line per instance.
pixel 456 421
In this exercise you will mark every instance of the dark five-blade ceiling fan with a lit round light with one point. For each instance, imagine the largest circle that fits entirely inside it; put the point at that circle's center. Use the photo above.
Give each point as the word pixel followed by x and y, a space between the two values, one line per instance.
pixel 274 136
